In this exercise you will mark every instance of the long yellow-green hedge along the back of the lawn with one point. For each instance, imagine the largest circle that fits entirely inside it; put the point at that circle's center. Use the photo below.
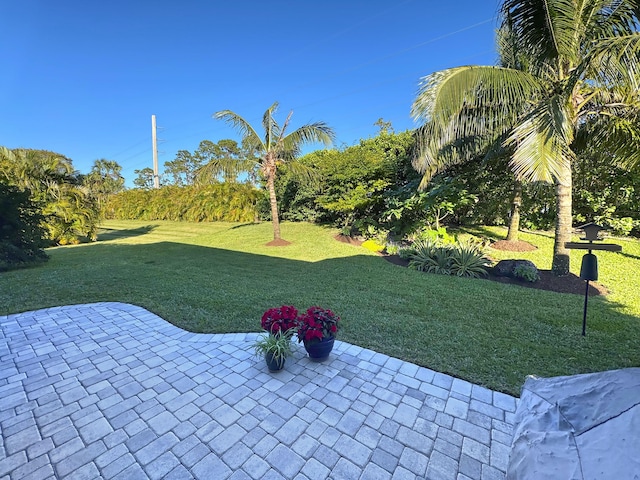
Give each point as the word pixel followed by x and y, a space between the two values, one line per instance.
pixel 229 202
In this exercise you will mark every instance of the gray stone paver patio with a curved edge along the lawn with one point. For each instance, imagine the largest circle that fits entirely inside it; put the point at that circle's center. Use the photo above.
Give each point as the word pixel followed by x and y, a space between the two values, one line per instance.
pixel 110 390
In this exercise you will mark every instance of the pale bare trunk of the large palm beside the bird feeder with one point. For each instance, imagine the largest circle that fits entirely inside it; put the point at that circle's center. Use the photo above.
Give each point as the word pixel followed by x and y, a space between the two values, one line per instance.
pixel 560 264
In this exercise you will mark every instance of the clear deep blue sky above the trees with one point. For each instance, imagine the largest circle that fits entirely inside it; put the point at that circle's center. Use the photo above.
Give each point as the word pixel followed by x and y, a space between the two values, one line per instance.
pixel 82 78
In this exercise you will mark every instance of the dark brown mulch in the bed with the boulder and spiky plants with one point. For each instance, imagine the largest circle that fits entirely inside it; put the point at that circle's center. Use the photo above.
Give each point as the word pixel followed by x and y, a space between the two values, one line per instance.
pixel 548 281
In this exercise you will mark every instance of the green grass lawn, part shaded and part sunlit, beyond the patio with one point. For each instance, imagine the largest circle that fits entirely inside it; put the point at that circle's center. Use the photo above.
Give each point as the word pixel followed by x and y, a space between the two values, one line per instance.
pixel 220 277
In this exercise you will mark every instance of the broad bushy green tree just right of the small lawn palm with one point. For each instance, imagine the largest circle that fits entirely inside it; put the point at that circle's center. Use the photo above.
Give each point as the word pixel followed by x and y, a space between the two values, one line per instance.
pixel 353 184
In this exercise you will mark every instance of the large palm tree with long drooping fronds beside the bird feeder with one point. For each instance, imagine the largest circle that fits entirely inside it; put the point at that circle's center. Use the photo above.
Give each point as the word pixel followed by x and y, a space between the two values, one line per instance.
pixel 583 67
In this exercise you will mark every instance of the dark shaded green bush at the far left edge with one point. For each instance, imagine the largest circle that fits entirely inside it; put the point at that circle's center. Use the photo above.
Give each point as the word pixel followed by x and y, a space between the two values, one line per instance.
pixel 21 233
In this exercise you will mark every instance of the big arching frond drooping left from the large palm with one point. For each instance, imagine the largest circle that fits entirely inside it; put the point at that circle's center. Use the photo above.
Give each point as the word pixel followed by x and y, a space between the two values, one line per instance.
pixel 467 110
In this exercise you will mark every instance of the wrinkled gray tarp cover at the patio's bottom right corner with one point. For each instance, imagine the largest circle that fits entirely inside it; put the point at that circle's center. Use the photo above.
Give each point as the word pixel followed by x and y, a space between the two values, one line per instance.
pixel 582 427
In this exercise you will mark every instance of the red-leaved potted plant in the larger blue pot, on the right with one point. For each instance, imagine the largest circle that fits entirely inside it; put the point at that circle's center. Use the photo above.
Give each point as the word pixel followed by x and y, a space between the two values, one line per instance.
pixel 317 329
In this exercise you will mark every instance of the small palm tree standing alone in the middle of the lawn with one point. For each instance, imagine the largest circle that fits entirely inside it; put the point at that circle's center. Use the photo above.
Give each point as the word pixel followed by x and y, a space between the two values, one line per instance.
pixel 277 148
